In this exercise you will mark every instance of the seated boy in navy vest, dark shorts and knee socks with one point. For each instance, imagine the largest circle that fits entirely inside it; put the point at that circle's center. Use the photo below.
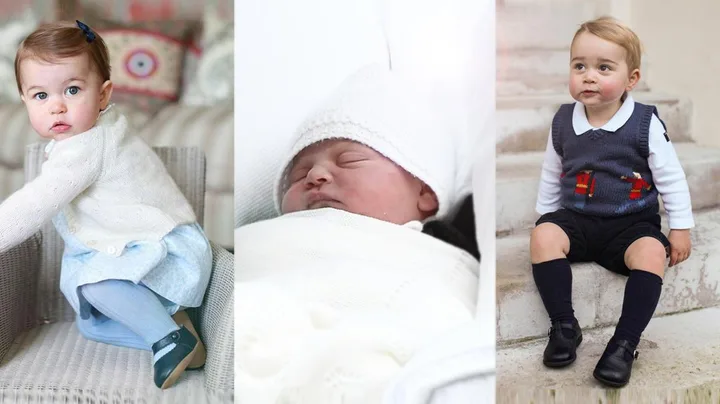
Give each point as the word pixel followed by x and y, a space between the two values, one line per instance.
pixel 607 160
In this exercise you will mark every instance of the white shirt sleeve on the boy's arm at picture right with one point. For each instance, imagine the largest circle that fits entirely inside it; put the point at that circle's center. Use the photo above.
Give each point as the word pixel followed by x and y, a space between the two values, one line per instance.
pixel 669 178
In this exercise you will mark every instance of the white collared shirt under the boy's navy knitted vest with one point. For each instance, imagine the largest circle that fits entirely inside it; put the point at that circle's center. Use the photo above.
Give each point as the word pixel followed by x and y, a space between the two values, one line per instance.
pixel 668 175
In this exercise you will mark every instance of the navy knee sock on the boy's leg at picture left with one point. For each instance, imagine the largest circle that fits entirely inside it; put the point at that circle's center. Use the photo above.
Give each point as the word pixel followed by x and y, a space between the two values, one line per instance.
pixel 554 282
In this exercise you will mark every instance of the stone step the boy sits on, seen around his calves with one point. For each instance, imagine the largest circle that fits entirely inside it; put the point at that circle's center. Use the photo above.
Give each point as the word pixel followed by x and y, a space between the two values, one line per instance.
pixel 598 293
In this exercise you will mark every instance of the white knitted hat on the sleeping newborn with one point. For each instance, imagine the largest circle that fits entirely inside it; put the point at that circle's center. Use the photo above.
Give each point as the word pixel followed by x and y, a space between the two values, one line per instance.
pixel 393 116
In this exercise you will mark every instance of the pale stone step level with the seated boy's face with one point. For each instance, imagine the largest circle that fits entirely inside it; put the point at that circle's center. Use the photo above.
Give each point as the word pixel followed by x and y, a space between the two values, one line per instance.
pixel 522 72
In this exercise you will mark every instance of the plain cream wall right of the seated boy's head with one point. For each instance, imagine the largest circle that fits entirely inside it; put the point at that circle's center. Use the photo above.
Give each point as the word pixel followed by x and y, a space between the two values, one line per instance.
pixel 680 40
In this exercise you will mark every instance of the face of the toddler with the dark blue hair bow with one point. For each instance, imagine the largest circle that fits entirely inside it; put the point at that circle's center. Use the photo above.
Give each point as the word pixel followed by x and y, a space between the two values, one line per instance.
pixel 64 98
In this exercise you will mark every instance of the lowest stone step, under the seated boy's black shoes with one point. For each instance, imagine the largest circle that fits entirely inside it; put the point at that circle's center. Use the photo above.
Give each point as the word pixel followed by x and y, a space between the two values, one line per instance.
pixel 678 363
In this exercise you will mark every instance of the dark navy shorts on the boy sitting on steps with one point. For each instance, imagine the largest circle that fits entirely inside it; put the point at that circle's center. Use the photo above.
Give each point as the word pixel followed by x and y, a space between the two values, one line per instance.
pixel 605 239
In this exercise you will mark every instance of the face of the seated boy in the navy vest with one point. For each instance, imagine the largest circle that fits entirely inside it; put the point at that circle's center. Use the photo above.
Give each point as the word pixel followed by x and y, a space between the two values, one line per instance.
pixel 599 74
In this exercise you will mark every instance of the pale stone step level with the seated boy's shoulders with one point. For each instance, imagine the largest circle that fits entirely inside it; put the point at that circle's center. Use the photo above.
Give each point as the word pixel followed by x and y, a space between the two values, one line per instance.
pixel 523 122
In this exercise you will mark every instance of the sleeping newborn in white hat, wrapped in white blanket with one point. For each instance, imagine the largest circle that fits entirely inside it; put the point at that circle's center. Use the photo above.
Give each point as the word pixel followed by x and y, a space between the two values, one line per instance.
pixel 357 289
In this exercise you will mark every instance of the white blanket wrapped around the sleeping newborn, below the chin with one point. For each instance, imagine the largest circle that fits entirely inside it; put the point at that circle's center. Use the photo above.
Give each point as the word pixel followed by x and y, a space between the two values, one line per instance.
pixel 330 305
